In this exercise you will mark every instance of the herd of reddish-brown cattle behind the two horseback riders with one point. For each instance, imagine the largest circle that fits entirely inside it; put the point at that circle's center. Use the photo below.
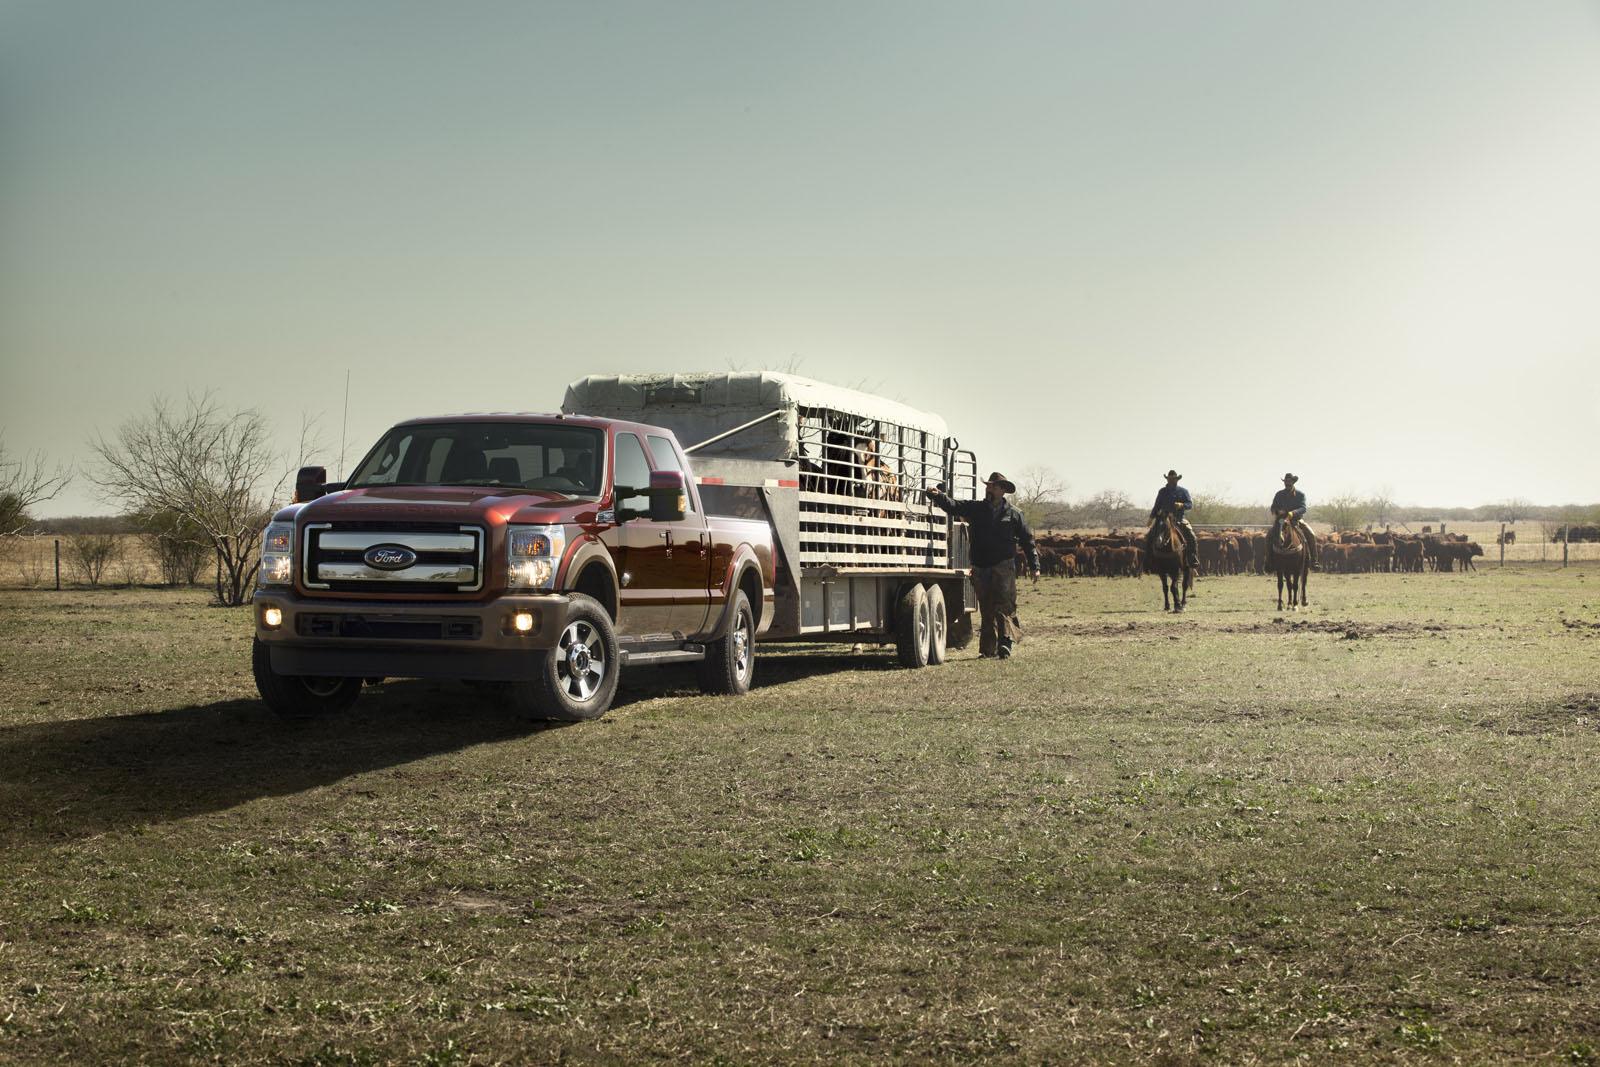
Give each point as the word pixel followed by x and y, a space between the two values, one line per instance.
pixel 1246 553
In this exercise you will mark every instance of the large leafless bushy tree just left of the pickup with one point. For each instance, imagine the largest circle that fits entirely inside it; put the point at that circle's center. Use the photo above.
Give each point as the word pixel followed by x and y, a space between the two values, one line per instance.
pixel 214 468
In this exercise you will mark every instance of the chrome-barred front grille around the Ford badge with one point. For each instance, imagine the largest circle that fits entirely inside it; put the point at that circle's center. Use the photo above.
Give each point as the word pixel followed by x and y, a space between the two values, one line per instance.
pixel 442 559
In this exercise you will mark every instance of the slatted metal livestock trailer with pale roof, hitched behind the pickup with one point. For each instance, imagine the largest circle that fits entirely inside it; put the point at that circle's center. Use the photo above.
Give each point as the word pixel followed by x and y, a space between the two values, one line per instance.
pixel 842 478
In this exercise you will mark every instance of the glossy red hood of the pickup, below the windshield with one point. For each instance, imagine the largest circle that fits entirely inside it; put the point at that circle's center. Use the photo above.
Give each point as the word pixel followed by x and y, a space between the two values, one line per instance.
pixel 490 506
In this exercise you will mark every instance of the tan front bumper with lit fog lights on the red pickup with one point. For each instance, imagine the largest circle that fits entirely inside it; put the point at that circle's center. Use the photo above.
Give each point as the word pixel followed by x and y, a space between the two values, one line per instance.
pixel 409 641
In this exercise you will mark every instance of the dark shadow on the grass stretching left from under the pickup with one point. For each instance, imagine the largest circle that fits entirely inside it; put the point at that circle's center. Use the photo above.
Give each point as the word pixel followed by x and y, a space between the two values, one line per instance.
pixel 71 780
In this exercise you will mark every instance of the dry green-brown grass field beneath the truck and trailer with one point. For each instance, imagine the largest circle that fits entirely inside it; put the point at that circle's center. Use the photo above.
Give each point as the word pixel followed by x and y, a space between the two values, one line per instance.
pixel 1366 833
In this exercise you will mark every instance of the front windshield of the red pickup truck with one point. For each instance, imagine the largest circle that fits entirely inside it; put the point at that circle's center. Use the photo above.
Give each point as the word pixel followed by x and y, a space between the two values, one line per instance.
pixel 505 455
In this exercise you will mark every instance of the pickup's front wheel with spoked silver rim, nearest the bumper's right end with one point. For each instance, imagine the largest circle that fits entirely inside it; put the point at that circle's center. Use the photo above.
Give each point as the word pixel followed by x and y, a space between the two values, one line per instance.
pixel 578 674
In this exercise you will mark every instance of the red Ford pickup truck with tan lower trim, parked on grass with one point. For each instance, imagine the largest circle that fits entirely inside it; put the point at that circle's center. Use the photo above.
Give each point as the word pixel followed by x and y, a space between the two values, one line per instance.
pixel 542 554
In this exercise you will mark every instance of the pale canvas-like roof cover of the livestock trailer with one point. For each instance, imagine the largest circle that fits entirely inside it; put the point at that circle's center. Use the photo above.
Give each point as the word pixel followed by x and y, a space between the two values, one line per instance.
pixel 750 393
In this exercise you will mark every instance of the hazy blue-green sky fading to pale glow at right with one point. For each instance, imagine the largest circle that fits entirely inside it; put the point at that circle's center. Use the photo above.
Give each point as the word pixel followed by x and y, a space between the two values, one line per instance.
pixel 1354 241
